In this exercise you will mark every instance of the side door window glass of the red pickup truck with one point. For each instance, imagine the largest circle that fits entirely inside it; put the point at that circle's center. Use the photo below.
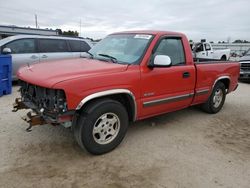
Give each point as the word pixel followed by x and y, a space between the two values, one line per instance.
pixel 173 48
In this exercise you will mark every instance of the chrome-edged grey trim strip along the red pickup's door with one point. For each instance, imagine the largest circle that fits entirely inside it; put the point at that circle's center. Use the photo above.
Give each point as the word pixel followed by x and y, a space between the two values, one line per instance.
pixel 167 100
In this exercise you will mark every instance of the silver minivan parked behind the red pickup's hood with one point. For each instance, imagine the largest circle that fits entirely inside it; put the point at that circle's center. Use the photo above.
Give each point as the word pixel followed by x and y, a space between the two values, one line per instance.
pixel 29 49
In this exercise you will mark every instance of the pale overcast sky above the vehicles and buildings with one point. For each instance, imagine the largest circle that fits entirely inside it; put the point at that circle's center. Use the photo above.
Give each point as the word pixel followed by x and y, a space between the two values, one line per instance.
pixel 211 19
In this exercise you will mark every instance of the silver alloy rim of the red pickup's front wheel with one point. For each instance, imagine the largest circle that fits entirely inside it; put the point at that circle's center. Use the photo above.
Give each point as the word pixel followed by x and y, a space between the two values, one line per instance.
pixel 106 128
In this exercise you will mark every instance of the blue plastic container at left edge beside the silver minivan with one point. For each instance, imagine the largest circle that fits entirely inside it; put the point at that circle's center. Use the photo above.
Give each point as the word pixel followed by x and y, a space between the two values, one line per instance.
pixel 5 74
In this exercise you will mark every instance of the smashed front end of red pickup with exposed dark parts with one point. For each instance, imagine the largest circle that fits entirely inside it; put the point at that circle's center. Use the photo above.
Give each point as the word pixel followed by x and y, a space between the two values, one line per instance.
pixel 48 106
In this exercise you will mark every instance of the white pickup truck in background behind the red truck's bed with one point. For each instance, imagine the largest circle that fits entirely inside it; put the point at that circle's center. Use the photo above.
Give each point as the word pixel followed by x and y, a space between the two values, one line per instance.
pixel 205 51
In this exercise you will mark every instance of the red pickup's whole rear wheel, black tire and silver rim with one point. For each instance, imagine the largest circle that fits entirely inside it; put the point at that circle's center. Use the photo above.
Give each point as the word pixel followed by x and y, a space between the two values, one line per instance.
pixel 216 99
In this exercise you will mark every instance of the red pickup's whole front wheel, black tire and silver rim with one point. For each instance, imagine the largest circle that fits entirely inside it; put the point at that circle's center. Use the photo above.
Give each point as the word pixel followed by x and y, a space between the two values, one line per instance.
pixel 101 126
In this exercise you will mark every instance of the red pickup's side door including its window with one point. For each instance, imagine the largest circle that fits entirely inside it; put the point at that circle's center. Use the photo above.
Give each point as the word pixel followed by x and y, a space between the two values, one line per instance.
pixel 166 89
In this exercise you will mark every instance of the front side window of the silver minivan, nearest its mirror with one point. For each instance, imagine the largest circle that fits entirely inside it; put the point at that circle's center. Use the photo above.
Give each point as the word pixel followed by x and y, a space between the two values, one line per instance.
pixel 21 46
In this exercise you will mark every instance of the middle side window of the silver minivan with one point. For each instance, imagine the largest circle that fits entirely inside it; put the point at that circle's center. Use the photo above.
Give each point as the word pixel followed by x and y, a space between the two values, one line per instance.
pixel 53 45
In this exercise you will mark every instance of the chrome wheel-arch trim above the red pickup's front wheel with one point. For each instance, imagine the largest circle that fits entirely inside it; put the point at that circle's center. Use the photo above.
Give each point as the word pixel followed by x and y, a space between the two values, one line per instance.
pixel 106 93
